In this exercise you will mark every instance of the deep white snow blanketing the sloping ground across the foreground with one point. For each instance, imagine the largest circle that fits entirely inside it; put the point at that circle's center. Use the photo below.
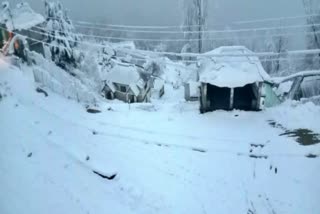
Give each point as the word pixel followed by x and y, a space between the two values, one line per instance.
pixel 167 157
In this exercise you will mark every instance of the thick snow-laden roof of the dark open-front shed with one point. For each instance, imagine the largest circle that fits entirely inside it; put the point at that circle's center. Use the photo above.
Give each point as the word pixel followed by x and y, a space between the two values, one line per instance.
pixel 231 71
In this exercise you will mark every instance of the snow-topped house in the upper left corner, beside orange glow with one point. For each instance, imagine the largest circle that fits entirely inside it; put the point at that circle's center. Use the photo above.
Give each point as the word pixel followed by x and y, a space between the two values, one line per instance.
pixel 19 23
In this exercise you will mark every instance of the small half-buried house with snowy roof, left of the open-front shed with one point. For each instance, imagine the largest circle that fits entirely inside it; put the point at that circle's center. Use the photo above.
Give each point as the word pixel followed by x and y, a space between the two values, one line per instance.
pixel 126 82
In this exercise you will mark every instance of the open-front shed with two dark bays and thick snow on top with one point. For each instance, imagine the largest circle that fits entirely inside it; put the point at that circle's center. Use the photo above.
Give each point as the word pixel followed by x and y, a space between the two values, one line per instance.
pixel 231 78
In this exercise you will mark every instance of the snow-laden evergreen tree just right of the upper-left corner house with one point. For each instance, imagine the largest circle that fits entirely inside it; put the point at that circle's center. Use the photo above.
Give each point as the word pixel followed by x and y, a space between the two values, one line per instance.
pixel 61 38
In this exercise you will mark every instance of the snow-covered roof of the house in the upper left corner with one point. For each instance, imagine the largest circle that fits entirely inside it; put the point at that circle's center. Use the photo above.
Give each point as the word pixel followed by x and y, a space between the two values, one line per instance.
pixel 23 17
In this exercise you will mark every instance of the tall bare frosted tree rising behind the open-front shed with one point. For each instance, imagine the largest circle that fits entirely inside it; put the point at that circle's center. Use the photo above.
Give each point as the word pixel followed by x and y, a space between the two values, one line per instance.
pixel 194 20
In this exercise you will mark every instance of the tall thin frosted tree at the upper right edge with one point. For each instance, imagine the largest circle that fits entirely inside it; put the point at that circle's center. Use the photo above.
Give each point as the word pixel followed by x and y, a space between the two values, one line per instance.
pixel 312 9
